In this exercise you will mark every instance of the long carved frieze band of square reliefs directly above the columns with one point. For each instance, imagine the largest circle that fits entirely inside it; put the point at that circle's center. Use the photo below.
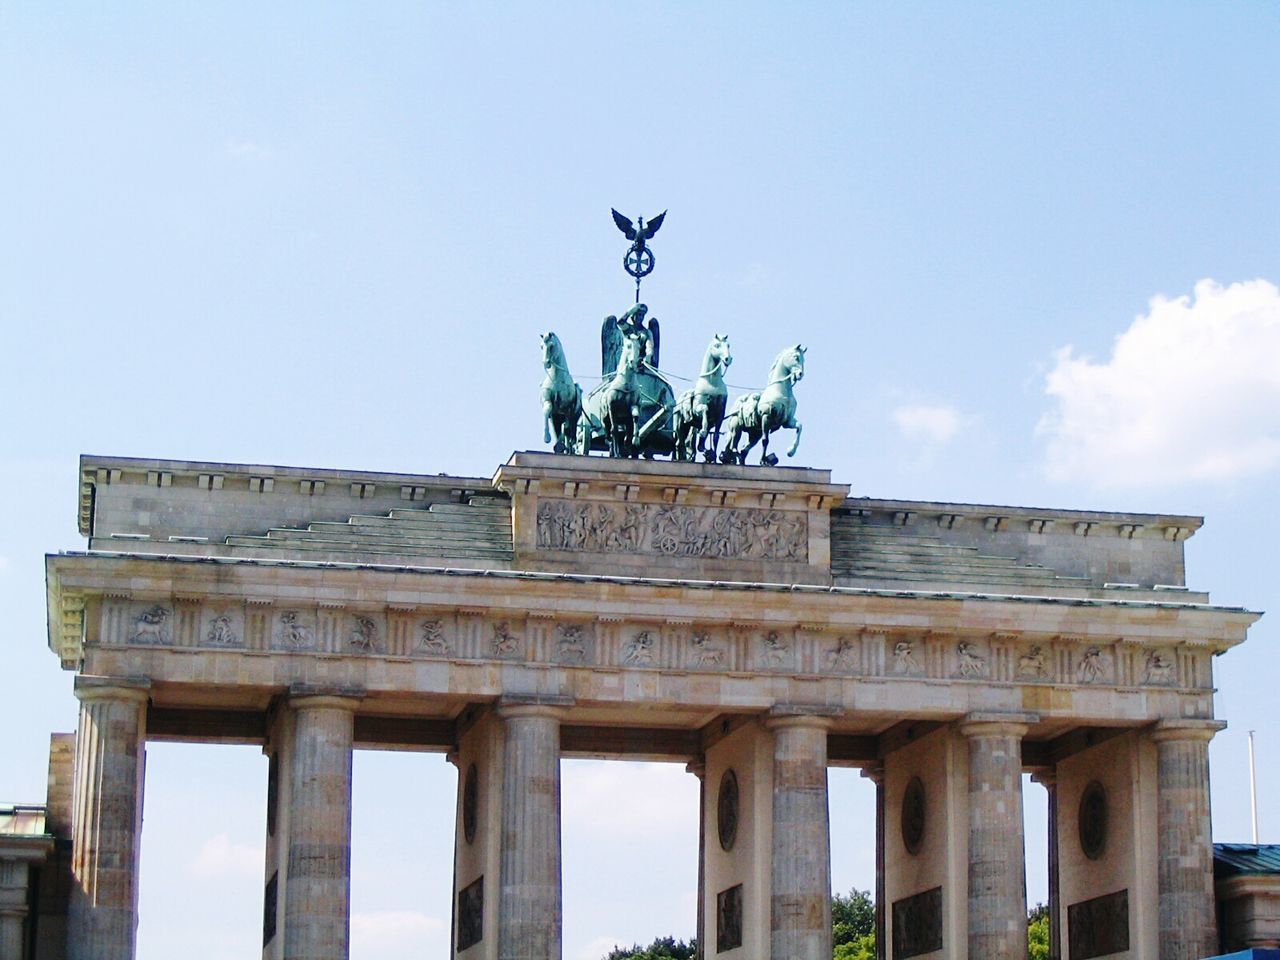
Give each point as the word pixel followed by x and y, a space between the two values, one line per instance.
pixel 605 643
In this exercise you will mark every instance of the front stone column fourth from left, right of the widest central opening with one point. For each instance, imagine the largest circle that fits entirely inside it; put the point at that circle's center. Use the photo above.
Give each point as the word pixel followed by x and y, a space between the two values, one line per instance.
pixel 801 904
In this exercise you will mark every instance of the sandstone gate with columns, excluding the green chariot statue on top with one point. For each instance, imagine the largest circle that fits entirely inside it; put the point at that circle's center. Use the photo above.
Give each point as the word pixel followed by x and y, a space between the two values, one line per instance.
pixel 756 623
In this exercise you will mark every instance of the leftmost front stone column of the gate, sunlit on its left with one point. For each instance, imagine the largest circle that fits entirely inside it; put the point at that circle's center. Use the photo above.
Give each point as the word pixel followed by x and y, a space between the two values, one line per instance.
pixel 107 817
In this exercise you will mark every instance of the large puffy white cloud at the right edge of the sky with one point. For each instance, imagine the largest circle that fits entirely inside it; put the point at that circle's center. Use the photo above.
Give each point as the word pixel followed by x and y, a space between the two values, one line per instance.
pixel 1191 394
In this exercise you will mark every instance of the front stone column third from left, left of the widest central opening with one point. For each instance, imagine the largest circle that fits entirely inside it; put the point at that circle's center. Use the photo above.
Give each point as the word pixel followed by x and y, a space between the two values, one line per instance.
pixel 529 895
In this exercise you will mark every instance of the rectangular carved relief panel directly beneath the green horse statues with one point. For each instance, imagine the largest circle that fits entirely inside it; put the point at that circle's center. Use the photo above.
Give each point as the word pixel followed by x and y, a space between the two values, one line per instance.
pixel 712 533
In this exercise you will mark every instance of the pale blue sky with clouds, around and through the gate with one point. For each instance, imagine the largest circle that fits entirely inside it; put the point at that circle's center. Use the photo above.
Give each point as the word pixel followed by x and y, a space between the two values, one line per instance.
pixel 328 236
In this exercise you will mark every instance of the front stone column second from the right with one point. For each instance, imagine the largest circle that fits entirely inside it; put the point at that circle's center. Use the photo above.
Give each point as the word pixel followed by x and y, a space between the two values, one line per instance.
pixel 998 865
